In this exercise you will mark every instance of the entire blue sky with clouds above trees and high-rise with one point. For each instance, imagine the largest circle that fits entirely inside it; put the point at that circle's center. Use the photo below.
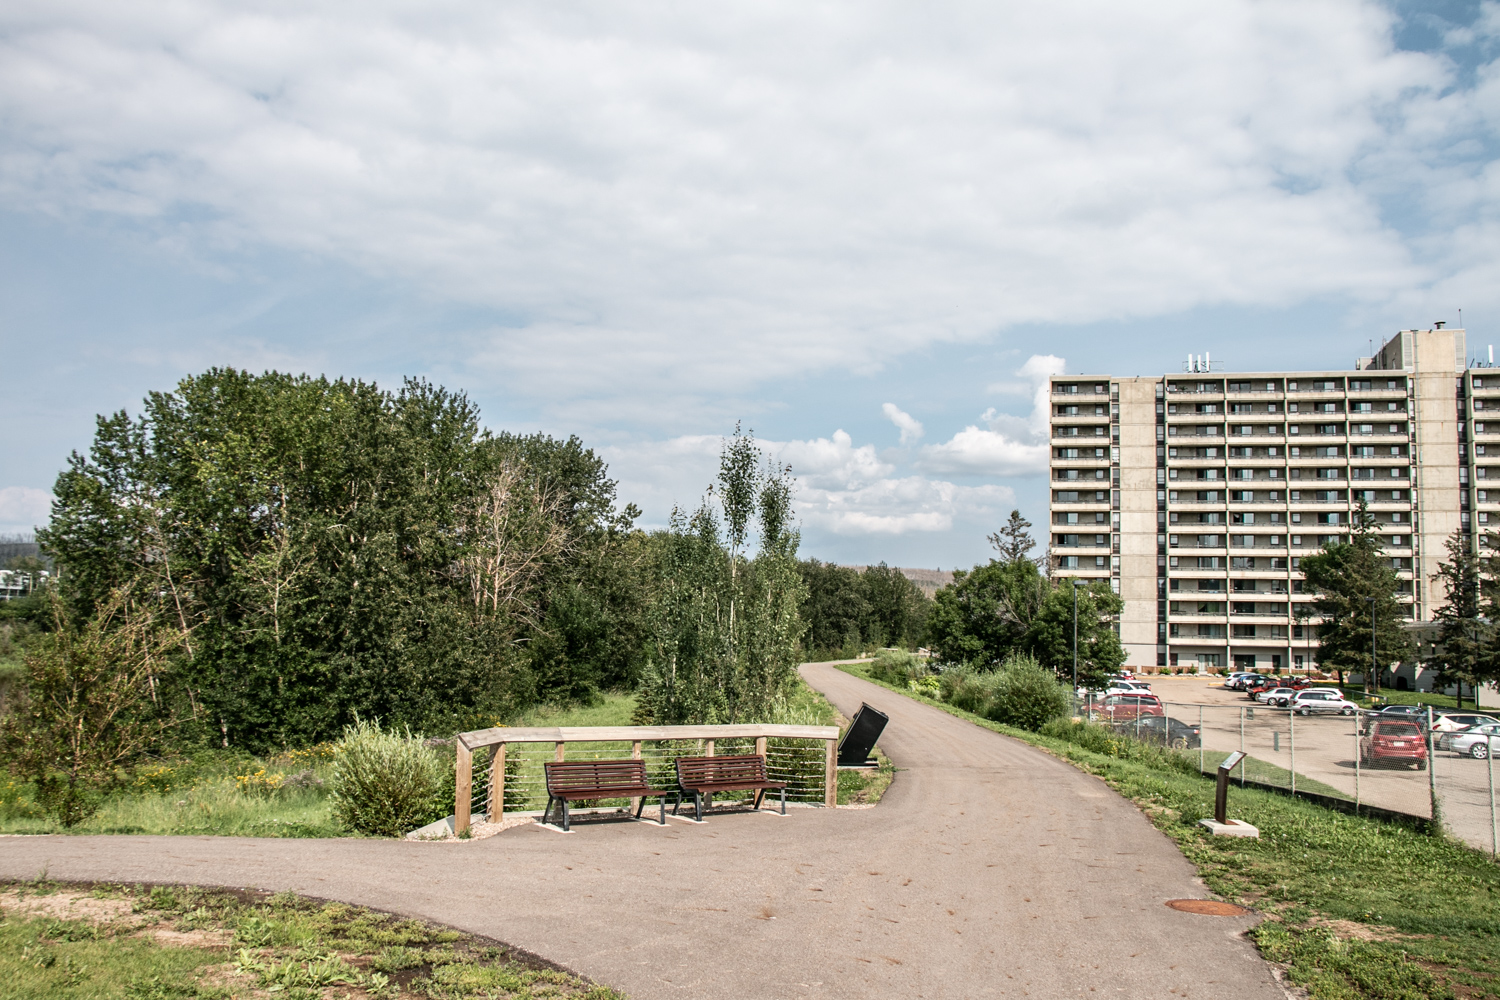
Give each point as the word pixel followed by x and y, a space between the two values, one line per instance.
pixel 868 232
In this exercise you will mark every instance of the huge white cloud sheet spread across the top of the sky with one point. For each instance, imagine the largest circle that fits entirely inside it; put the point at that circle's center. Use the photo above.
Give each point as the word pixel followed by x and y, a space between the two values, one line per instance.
pixel 664 197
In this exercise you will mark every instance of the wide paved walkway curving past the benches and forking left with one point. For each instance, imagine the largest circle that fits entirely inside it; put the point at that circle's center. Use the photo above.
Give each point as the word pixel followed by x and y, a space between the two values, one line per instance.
pixel 991 870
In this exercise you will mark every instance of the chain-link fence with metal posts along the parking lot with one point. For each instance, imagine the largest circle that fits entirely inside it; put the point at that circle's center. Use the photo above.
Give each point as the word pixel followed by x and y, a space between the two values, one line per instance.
pixel 1355 762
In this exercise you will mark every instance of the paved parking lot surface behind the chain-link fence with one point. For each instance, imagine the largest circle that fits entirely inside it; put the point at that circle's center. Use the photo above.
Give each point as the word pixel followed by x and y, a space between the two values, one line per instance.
pixel 1325 749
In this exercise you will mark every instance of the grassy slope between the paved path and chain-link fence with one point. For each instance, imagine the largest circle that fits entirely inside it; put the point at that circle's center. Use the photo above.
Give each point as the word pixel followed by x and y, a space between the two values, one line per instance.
pixel 1330 882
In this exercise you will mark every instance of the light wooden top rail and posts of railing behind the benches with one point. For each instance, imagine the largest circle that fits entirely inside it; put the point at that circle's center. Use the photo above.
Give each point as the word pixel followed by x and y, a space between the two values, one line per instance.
pixel 635 735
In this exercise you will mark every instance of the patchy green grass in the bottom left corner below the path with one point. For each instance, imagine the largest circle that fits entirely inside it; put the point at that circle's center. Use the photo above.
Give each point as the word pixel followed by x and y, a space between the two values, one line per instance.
pixel 65 942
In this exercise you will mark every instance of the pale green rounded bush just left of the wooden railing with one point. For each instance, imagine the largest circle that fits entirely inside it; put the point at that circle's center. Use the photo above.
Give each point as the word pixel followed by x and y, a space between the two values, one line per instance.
pixel 386 783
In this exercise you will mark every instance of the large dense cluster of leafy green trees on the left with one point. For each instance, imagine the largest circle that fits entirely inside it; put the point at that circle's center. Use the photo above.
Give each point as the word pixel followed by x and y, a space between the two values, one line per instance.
pixel 332 549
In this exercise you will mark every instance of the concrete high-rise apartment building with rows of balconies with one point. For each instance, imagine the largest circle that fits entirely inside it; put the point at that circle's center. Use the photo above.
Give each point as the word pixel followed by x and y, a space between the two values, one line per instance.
pixel 1198 494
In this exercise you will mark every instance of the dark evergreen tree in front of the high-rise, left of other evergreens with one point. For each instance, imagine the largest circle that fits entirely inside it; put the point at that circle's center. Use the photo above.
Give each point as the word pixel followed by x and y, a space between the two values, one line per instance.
pixel 1354 582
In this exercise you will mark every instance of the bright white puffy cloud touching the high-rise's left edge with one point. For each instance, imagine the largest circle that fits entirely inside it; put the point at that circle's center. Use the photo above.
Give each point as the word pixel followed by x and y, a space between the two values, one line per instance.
pixel 1009 446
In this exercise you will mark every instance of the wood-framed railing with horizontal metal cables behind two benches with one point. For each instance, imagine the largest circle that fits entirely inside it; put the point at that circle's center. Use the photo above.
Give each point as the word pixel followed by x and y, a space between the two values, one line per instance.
pixel 515 777
